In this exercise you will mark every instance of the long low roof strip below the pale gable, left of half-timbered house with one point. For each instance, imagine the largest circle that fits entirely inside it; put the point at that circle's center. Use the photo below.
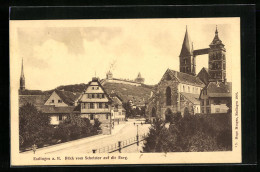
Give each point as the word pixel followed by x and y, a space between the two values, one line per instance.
pixel 56 110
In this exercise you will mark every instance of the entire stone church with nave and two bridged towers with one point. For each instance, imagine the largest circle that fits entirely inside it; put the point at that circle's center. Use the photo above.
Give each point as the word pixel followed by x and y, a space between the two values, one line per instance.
pixel 180 92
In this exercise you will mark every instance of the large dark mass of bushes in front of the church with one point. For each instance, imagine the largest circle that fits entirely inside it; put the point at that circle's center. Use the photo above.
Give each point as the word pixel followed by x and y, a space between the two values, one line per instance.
pixel 191 133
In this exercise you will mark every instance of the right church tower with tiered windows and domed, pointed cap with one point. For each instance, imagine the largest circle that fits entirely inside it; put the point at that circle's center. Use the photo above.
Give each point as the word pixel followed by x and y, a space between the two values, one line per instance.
pixel 217 60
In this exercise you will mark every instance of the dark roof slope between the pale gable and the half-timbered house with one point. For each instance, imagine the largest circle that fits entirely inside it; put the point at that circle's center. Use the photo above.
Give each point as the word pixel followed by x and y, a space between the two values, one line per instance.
pixel 67 96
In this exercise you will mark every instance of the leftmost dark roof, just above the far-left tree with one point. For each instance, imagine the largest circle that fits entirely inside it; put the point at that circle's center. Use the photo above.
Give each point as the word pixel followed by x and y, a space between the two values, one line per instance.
pixel 36 100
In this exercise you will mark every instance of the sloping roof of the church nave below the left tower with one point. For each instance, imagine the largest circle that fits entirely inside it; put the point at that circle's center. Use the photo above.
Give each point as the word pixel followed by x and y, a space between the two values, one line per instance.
pixel 187 79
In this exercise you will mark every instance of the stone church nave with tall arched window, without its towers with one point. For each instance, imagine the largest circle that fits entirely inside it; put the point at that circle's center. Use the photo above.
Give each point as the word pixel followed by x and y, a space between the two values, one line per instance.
pixel 176 92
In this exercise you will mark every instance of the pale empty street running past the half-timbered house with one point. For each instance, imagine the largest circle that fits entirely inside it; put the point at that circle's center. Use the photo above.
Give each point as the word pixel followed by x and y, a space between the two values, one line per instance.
pixel 121 132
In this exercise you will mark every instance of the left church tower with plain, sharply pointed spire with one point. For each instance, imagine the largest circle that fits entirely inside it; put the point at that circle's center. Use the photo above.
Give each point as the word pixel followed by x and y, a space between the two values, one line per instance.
pixel 187 61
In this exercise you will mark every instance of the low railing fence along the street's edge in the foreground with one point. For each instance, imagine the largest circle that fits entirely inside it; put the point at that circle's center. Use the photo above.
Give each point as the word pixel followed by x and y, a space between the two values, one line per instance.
pixel 120 144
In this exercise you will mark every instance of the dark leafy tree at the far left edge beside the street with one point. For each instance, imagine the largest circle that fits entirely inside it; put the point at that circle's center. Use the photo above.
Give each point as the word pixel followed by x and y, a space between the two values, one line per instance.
pixel 34 127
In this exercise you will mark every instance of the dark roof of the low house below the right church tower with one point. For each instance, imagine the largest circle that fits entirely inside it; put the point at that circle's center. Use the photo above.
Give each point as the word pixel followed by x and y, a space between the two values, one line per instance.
pixel 219 89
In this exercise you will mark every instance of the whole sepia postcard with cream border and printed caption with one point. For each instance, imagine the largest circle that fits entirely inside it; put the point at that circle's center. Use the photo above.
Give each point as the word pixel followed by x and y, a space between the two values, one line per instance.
pixel 125 91
